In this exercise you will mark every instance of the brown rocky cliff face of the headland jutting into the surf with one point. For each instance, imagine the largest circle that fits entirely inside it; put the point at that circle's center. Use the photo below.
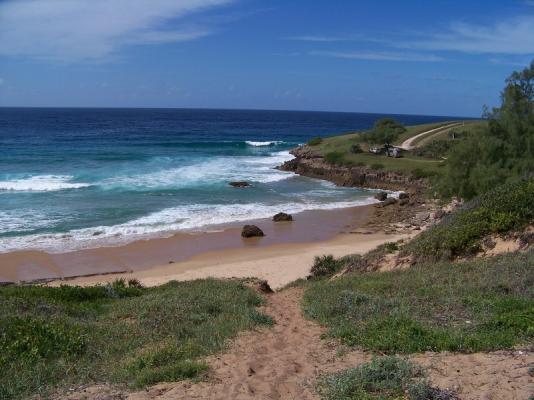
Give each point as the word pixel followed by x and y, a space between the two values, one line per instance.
pixel 308 163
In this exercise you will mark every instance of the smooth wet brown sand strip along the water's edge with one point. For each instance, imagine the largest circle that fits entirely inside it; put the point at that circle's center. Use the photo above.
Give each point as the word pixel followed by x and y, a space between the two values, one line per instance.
pixel 309 229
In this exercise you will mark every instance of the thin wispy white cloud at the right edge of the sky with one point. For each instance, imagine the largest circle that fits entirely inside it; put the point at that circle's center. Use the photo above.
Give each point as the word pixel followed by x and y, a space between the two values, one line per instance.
pixel 511 36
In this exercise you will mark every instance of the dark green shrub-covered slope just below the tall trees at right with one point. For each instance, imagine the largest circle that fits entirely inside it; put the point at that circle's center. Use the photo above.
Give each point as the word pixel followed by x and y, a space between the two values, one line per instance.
pixel 509 207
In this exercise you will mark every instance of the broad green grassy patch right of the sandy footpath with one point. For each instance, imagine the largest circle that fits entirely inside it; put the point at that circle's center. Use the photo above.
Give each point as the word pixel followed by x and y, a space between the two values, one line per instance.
pixel 483 305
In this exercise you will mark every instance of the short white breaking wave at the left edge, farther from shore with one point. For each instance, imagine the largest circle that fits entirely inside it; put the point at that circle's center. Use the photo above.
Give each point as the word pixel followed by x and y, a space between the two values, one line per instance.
pixel 41 183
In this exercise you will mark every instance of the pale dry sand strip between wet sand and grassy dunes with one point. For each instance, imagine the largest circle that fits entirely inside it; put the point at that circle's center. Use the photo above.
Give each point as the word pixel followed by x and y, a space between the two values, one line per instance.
pixel 279 264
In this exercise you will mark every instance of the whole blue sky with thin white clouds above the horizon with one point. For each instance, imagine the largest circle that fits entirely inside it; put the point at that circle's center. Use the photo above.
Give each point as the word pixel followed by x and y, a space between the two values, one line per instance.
pixel 440 57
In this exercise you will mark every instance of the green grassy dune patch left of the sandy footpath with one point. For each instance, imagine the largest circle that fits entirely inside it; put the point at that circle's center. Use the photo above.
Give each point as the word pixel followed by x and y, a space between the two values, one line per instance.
pixel 120 333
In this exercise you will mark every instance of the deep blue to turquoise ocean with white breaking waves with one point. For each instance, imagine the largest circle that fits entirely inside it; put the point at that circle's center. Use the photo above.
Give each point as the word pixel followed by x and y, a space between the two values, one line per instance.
pixel 81 178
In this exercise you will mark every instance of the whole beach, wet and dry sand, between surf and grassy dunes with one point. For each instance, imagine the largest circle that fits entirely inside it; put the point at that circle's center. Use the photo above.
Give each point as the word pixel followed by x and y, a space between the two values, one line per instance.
pixel 286 252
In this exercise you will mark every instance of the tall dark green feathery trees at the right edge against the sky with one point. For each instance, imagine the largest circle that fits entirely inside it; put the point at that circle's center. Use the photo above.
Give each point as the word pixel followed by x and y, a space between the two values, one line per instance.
pixel 501 151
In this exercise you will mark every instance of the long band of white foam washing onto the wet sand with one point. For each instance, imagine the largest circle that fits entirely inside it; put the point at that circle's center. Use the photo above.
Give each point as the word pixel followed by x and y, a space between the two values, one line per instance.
pixel 182 218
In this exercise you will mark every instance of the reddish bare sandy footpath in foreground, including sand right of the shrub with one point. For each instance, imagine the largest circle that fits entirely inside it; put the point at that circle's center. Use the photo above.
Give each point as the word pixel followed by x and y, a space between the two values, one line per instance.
pixel 284 361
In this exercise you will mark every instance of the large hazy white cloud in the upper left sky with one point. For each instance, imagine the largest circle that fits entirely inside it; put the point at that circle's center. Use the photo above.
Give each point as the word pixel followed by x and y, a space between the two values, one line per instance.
pixel 76 30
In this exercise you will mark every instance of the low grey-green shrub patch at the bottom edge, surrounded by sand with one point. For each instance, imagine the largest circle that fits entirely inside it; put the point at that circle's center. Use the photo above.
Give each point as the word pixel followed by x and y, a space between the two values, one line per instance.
pixel 384 378
